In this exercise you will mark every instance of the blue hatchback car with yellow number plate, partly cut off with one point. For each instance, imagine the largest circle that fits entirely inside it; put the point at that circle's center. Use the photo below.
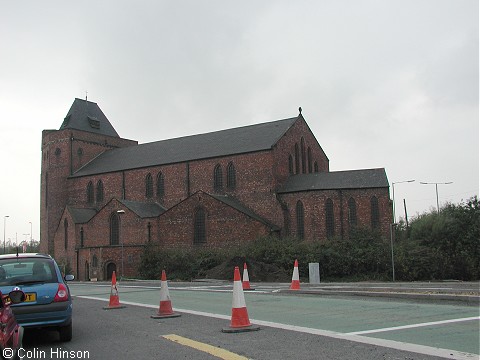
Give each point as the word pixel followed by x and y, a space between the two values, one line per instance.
pixel 48 302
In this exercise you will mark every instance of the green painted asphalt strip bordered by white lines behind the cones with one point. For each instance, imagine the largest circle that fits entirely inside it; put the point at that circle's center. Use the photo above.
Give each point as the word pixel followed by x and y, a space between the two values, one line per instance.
pixel 338 314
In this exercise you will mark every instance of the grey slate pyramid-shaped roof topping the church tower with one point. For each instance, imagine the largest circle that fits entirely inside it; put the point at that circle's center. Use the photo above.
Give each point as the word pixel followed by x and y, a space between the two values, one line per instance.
pixel 87 116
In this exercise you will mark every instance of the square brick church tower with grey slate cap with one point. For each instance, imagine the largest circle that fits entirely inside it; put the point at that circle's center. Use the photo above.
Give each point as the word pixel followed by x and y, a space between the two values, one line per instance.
pixel 84 134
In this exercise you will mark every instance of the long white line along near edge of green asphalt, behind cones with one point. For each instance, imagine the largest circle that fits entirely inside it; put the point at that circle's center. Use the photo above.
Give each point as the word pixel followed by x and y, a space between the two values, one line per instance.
pixel 419 349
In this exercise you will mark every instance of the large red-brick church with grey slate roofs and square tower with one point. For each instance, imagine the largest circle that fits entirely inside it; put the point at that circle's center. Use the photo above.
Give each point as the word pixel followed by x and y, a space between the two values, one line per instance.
pixel 104 197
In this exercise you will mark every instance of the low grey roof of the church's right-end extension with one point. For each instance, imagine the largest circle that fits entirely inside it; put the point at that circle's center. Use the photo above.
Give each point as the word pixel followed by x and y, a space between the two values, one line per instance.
pixel 336 180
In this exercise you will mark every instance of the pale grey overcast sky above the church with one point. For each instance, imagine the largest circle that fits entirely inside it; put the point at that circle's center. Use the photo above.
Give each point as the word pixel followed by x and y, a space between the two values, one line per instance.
pixel 390 84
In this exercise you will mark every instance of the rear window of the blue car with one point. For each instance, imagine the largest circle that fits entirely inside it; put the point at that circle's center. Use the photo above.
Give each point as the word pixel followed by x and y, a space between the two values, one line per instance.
pixel 26 270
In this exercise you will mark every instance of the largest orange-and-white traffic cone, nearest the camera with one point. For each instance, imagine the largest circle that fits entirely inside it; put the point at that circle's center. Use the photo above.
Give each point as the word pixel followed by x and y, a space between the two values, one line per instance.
pixel 239 321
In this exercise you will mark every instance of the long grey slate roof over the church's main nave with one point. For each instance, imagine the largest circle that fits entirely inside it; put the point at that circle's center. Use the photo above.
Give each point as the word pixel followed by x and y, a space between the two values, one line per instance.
pixel 214 144
